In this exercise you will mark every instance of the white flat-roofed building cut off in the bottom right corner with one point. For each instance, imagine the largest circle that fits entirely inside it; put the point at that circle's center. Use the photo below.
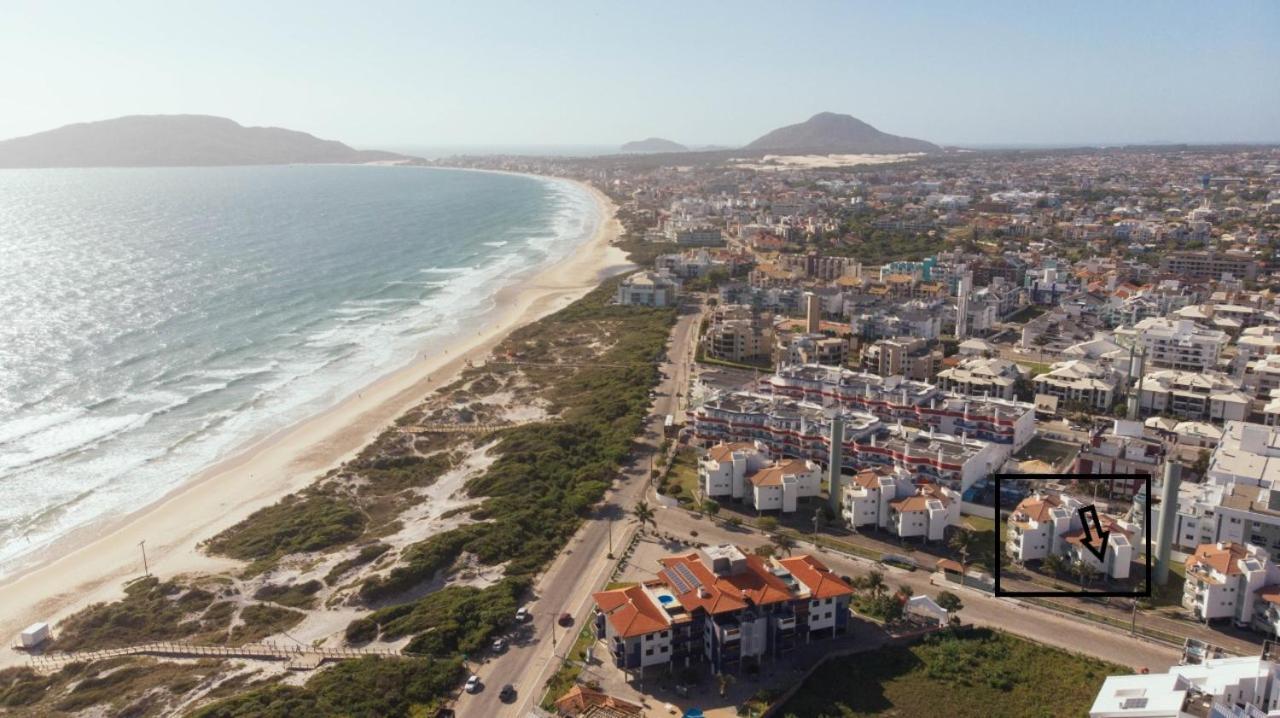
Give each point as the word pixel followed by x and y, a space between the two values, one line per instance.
pixel 1227 688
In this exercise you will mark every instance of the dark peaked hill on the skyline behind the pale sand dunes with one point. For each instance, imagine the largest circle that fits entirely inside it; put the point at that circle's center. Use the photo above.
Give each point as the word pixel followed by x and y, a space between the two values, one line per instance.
pixel 831 134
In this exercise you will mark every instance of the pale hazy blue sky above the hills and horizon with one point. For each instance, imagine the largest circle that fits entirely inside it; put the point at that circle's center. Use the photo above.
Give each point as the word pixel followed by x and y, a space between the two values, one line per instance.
pixel 556 72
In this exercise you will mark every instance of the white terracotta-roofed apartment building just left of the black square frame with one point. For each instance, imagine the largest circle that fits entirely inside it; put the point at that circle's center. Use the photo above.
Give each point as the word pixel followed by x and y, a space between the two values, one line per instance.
pixel 890 500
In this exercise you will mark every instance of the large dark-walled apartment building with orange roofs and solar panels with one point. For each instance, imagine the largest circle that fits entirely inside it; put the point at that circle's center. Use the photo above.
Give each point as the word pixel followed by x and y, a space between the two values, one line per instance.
pixel 721 607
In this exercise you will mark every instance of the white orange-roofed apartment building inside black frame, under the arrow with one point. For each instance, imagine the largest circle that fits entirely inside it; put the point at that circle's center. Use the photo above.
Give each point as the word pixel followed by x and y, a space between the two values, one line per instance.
pixel 1044 525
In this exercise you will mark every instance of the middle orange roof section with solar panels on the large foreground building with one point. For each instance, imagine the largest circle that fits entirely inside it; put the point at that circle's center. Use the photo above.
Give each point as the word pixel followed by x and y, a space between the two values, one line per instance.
pixel 719 594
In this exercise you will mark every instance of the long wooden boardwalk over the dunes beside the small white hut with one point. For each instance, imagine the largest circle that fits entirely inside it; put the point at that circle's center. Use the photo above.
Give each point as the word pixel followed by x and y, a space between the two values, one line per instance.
pixel 299 658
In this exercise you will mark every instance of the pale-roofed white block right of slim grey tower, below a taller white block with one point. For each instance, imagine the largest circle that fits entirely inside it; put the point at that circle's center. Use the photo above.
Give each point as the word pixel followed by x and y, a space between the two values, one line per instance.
pixel 1194 395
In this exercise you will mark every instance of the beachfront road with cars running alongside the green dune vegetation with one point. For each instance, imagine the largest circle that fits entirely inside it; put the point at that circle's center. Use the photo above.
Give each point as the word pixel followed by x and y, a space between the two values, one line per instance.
pixel 584 566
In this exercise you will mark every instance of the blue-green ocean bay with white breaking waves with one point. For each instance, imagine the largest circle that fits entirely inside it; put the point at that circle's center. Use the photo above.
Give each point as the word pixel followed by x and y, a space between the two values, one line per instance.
pixel 154 321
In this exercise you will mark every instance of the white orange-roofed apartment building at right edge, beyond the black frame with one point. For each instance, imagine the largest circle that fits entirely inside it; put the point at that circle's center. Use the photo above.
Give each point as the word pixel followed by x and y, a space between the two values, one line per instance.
pixel 1224 580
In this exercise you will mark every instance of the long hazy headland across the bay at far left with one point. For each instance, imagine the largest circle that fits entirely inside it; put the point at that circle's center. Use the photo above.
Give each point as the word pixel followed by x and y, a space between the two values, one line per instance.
pixel 176 141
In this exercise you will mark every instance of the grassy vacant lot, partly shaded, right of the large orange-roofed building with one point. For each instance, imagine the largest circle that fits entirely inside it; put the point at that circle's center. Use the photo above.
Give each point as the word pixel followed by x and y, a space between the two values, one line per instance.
pixel 976 674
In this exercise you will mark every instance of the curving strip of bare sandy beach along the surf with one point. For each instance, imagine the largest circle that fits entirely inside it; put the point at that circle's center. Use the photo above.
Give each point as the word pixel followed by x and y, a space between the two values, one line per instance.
pixel 93 564
